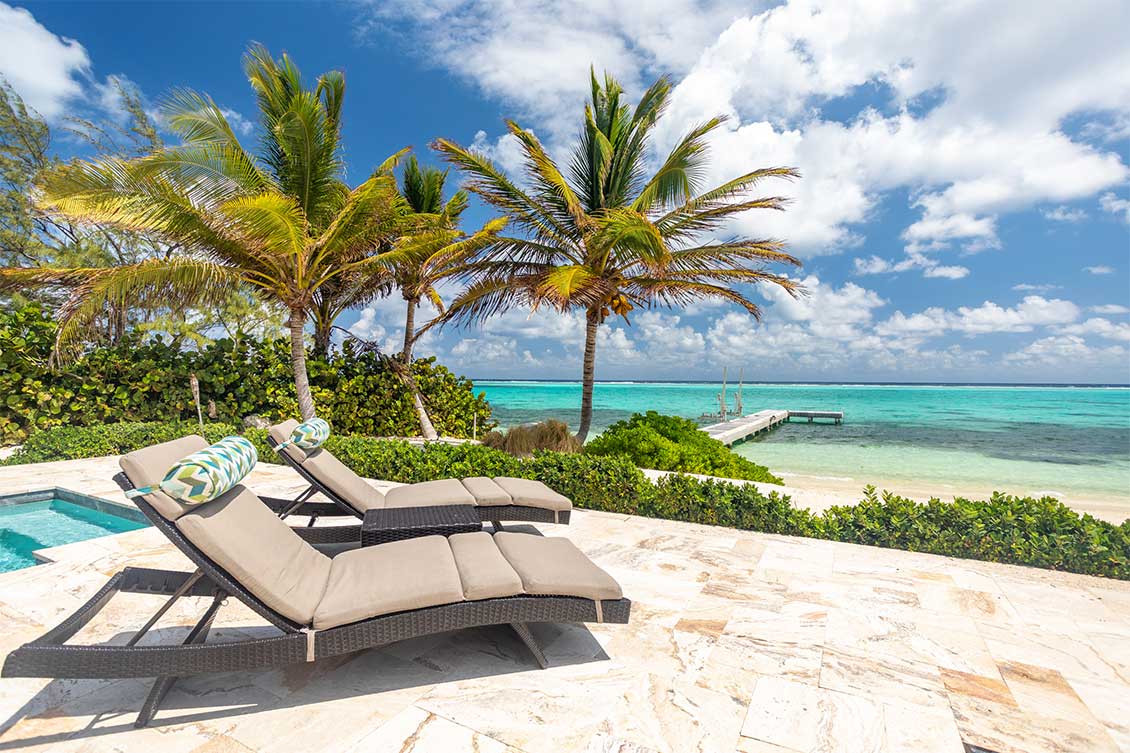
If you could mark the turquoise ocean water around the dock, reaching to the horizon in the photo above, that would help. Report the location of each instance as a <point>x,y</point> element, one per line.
<point>1025,439</point>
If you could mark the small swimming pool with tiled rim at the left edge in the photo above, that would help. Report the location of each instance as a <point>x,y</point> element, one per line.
<point>38,521</point>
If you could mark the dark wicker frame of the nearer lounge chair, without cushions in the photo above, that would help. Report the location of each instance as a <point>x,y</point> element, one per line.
<point>50,656</point>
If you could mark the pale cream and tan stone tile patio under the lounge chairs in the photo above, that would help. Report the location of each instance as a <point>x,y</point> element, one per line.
<point>738,642</point>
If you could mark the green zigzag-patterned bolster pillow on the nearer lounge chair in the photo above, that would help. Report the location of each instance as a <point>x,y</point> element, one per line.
<point>205,475</point>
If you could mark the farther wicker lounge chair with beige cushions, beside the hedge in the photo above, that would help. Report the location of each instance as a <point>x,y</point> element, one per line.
<point>494,499</point>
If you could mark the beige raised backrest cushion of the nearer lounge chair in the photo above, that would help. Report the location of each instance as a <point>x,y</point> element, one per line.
<point>241,535</point>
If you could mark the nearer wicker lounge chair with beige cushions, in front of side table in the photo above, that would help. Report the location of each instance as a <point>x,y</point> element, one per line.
<point>324,607</point>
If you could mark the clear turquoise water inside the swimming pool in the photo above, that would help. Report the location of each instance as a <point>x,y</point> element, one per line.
<point>29,526</point>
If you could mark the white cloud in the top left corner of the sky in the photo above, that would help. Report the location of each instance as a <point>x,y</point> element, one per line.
<point>47,71</point>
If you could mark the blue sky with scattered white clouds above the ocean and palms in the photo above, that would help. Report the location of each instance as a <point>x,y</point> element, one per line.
<point>964,207</point>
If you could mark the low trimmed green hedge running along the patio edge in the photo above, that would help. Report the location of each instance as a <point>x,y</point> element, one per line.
<point>1021,531</point>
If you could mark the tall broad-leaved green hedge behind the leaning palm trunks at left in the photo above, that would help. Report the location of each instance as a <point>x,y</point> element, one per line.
<point>147,382</point>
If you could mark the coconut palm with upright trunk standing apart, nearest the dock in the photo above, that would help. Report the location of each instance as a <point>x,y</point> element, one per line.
<point>611,238</point>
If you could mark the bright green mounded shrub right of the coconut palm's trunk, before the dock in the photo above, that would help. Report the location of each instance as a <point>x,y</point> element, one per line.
<point>674,444</point>
